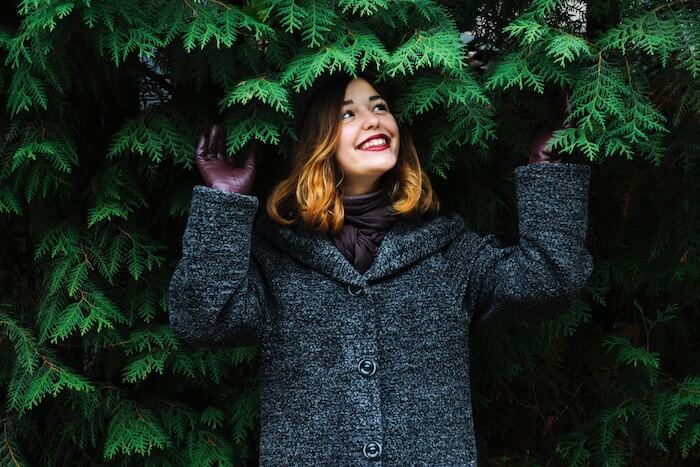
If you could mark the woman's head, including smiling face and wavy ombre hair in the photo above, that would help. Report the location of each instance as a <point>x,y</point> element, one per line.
<point>334,119</point>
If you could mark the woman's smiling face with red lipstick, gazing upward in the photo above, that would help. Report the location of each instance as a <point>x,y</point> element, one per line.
<point>365,115</point>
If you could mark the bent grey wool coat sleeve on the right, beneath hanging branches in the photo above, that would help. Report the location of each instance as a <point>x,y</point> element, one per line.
<point>540,276</point>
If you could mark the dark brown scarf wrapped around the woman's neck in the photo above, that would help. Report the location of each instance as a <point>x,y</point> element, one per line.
<point>366,219</point>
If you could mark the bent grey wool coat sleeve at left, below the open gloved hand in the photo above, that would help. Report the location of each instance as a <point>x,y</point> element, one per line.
<point>216,293</point>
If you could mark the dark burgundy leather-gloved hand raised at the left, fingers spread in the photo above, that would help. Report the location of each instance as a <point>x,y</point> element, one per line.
<point>218,168</point>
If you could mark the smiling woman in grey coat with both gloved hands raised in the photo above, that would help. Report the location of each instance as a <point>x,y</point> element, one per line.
<point>359,296</point>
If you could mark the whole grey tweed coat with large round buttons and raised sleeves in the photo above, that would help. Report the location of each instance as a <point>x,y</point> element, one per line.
<point>373,369</point>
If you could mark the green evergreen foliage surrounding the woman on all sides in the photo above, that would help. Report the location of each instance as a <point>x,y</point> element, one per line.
<point>103,103</point>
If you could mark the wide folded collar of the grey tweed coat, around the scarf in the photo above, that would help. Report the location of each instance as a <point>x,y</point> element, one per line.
<point>403,245</point>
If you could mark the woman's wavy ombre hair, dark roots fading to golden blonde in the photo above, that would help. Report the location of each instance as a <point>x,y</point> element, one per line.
<point>311,194</point>
